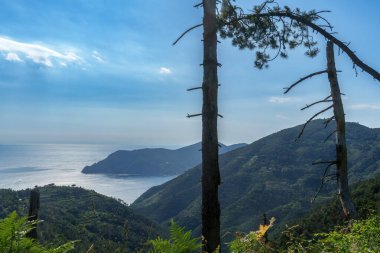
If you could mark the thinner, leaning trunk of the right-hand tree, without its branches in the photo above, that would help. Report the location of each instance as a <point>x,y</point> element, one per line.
<point>341,148</point>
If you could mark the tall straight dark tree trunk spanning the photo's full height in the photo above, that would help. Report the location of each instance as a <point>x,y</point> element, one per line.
<point>210,165</point>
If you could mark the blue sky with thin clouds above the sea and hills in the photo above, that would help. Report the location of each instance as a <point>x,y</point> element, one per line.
<point>105,72</point>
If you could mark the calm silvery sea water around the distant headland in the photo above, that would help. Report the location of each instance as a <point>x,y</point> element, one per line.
<point>24,166</point>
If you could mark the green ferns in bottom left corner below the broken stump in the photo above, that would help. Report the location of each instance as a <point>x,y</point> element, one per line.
<point>13,230</point>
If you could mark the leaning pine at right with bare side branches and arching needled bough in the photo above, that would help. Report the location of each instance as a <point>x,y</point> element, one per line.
<point>270,27</point>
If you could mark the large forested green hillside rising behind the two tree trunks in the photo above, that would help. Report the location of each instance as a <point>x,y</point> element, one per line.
<point>273,175</point>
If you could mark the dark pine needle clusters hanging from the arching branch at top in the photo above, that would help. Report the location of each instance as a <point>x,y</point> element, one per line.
<point>268,27</point>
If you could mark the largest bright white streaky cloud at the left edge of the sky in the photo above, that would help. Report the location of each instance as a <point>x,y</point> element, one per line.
<point>36,53</point>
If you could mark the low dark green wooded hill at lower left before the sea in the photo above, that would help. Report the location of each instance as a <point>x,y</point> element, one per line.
<point>71,213</point>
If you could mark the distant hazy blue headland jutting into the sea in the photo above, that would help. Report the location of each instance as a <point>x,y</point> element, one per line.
<point>153,161</point>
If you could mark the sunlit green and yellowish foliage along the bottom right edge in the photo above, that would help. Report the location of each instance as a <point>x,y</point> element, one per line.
<point>360,236</point>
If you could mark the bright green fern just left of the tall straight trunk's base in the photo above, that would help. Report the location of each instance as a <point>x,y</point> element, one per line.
<point>180,241</point>
